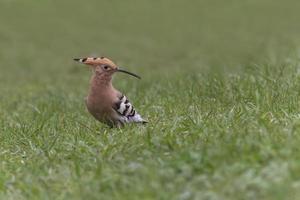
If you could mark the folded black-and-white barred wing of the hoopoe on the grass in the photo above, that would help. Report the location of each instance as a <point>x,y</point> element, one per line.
<point>126,112</point>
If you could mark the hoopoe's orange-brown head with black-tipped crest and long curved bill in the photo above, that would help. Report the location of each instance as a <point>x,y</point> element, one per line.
<point>103,66</point>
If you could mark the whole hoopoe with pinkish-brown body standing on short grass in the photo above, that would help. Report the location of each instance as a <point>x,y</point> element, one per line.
<point>104,102</point>
